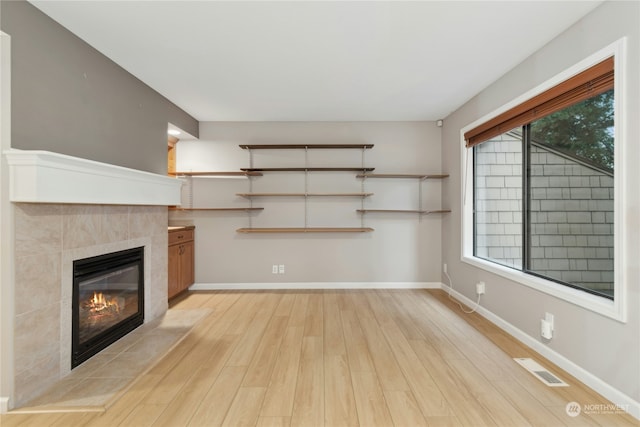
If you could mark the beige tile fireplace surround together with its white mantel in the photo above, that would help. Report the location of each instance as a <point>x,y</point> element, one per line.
<point>58,217</point>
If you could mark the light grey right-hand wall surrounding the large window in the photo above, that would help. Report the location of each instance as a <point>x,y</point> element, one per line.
<point>607,350</point>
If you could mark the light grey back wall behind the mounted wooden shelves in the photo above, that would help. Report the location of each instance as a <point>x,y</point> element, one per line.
<point>403,247</point>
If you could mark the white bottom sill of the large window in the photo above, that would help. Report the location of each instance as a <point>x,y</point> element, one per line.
<point>594,303</point>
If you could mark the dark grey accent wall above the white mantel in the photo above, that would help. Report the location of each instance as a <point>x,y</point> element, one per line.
<point>69,98</point>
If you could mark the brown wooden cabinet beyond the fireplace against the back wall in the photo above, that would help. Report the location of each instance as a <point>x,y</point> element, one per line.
<point>181,272</point>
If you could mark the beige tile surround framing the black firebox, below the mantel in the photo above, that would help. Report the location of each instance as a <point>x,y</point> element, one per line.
<point>48,237</point>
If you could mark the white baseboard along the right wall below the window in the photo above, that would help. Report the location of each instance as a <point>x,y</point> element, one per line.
<point>614,395</point>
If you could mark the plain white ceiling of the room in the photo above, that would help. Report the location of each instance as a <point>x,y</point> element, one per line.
<point>317,61</point>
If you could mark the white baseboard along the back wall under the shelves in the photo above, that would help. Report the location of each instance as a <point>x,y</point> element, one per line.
<point>314,285</point>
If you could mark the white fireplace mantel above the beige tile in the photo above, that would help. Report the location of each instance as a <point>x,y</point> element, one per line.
<point>45,177</point>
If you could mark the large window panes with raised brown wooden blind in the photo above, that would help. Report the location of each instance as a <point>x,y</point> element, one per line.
<point>542,181</point>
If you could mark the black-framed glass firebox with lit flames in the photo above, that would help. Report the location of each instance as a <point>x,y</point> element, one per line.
<point>108,301</point>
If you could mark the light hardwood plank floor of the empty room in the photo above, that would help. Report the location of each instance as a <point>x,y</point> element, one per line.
<point>339,358</point>
